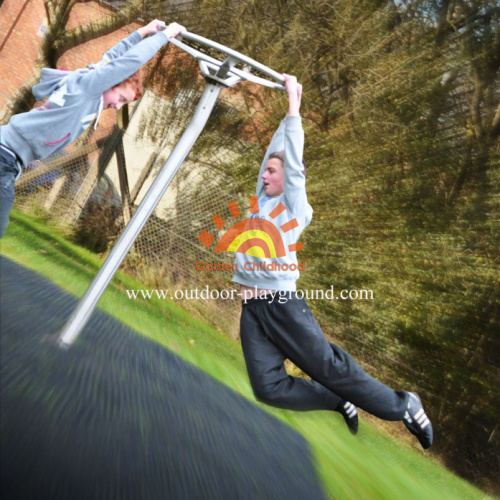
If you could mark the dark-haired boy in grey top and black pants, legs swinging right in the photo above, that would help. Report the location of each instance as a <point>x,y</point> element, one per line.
<point>277,325</point>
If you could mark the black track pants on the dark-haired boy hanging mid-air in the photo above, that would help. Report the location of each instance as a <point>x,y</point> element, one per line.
<point>273,332</point>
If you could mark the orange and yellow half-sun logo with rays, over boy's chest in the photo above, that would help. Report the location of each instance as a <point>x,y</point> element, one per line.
<point>253,236</point>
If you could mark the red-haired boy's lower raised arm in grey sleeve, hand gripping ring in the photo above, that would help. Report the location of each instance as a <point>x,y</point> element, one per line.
<point>114,71</point>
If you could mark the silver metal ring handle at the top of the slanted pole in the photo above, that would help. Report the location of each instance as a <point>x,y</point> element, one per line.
<point>244,75</point>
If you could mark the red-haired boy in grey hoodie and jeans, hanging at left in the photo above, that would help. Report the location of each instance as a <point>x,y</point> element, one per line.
<point>75,99</point>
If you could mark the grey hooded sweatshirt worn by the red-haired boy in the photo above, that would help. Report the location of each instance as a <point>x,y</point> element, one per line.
<point>75,99</point>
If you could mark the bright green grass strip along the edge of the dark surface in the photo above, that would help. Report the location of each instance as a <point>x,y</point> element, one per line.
<point>369,466</point>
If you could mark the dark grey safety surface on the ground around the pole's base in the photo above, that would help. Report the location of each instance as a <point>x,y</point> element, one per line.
<point>119,417</point>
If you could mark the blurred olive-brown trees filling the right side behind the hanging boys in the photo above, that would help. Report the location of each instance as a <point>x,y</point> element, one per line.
<point>401,108</point>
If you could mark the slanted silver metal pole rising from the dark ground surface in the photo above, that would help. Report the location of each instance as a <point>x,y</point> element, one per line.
<point>86,306</point>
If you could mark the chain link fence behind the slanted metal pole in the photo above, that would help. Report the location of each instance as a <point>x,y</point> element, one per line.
<point>80,190</point>
